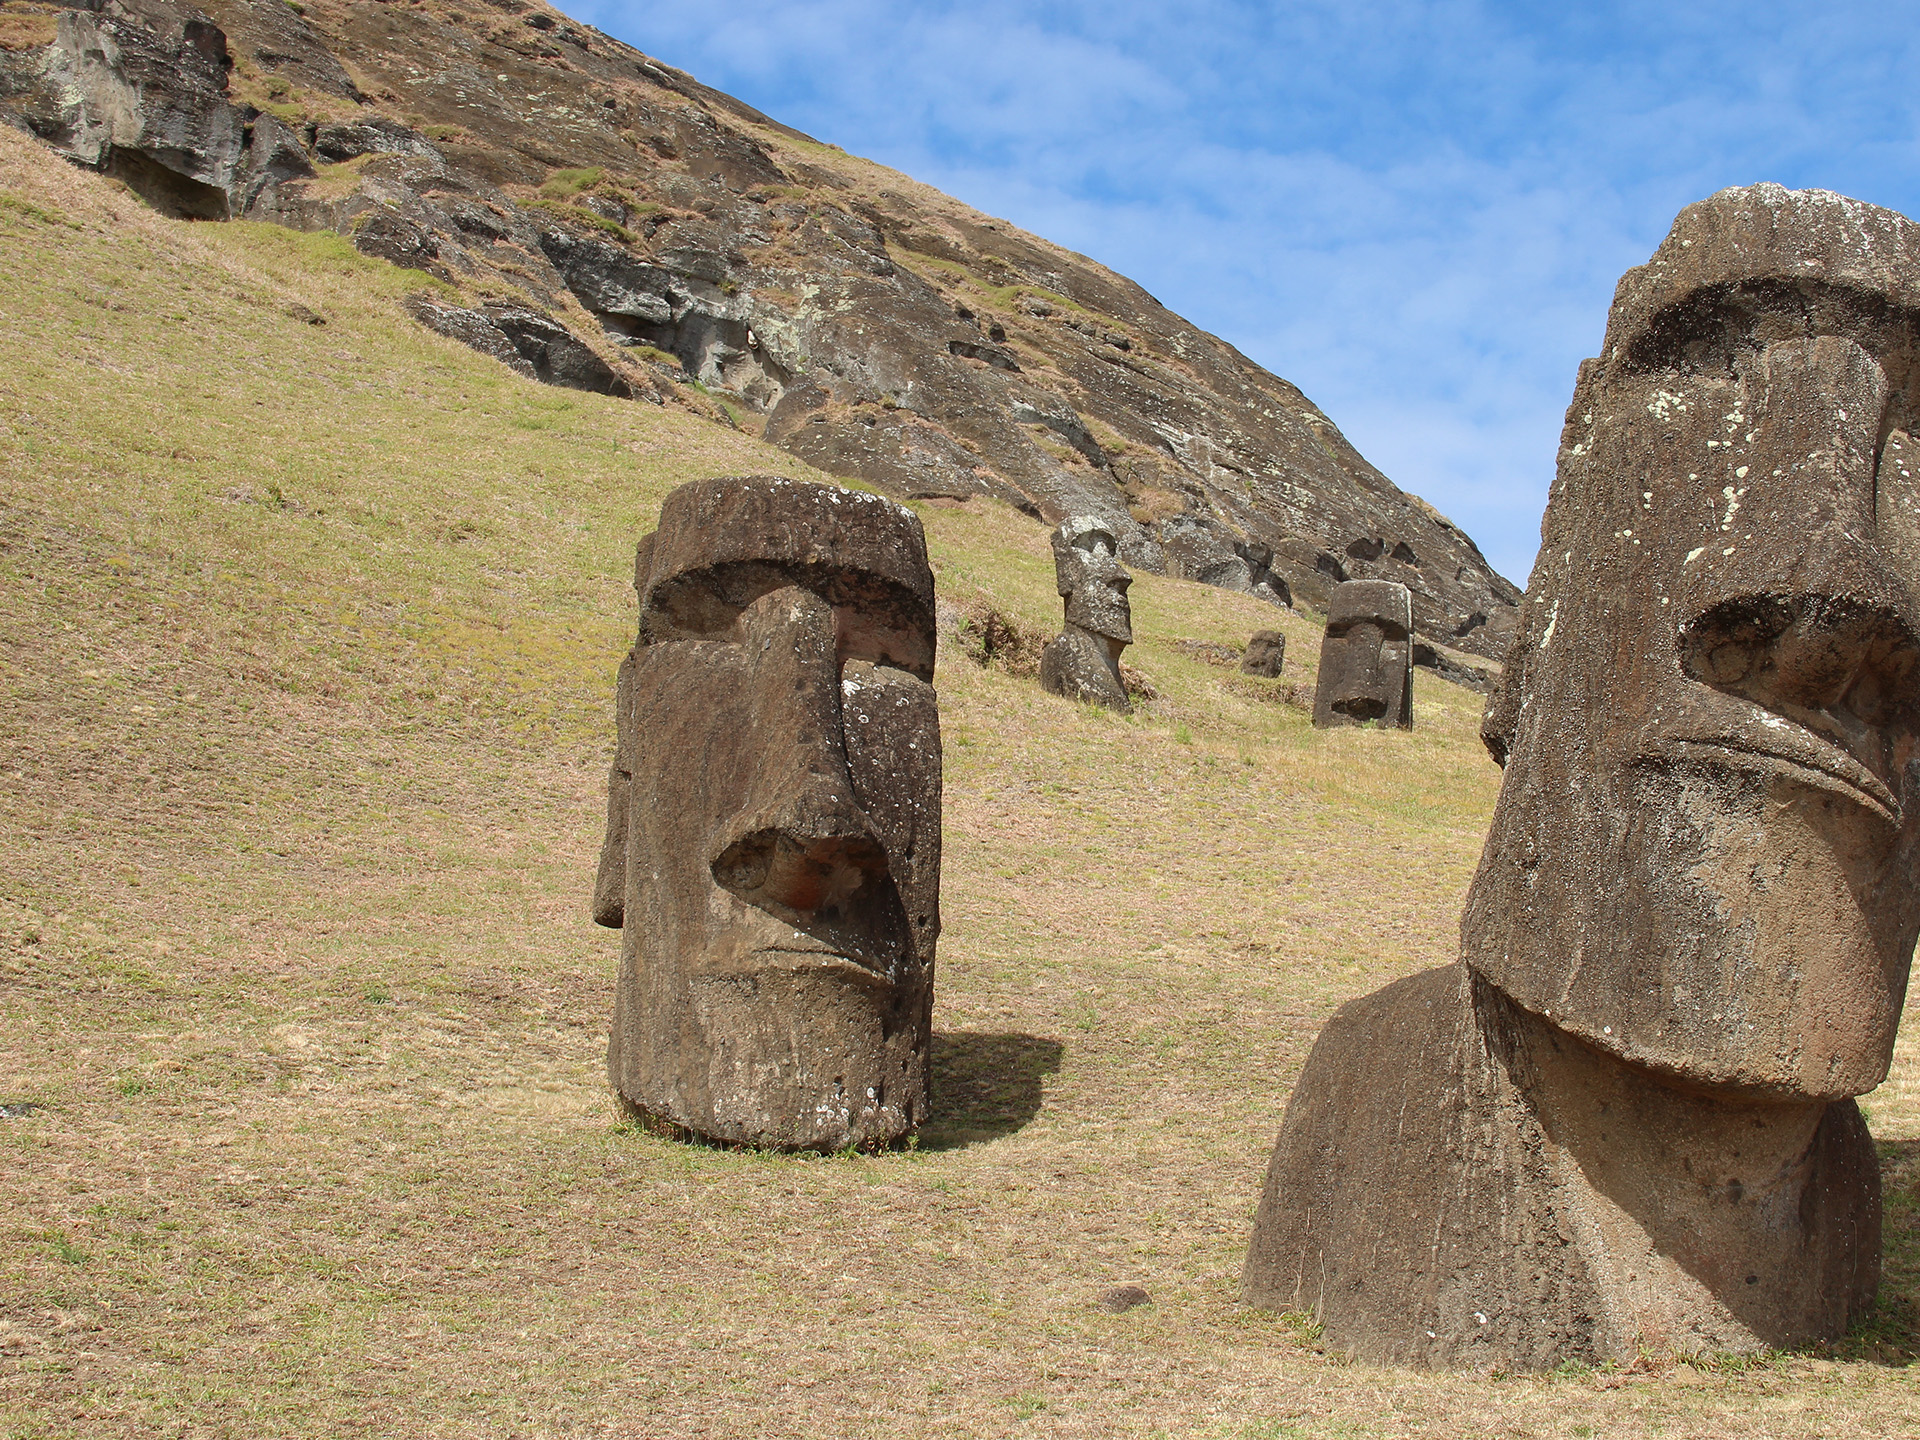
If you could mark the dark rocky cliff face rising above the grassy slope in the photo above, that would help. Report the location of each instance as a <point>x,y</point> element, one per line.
<point>604,222</point>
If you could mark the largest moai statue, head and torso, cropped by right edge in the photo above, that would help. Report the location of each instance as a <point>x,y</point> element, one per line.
<point>1625,1116</point>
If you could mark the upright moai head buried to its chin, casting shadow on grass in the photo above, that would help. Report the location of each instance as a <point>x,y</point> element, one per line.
<point>775,821</point>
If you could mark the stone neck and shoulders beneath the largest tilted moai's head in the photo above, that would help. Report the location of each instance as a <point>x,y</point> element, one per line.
<point>1464,1186</point>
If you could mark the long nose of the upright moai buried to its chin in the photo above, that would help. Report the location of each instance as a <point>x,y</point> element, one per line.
<point>802,846</point>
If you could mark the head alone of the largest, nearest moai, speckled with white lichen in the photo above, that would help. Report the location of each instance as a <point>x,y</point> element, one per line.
<point>1704,857</point>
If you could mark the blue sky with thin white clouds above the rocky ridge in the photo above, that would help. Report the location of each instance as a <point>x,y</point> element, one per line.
<point>1414,212</point>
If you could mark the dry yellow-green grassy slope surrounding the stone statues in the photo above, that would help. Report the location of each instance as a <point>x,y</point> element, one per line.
<point>306,638</point>
